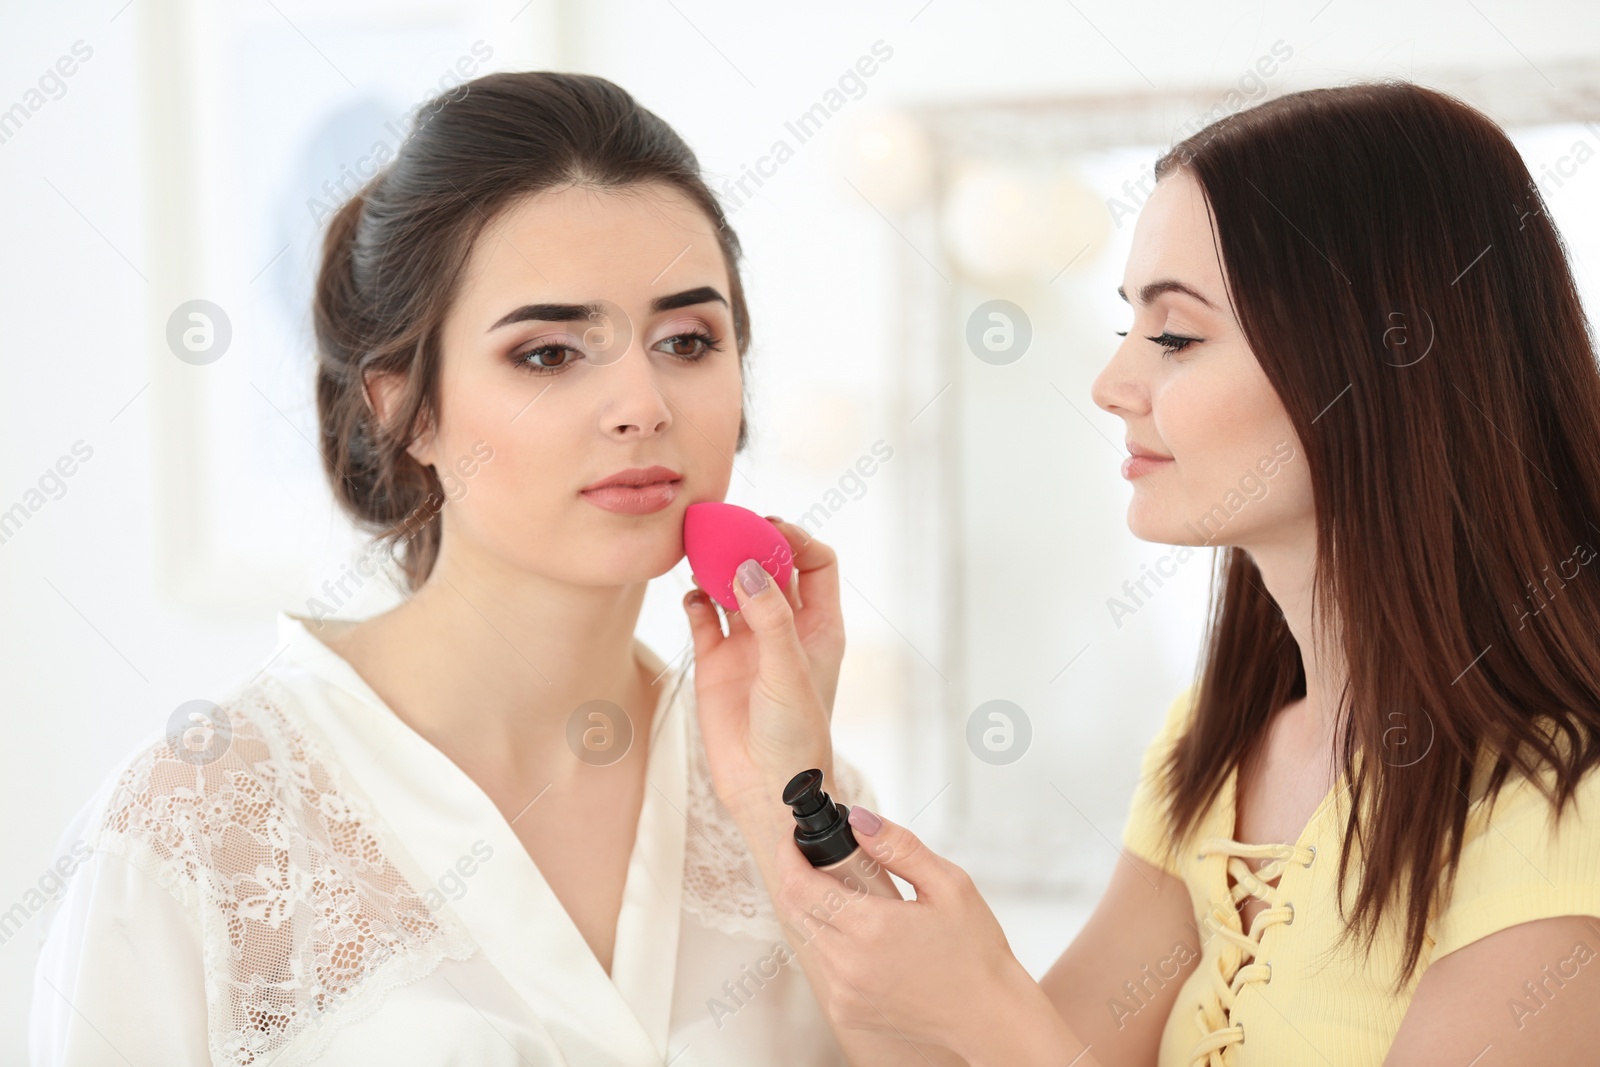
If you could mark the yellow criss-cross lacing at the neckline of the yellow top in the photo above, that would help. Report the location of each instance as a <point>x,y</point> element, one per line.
<point>1233,972</point>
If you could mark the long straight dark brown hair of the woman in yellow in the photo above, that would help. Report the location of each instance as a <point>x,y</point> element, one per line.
<point>1396,273</point>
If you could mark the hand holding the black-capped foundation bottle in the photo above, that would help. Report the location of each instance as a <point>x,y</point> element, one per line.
<point>937,970</point>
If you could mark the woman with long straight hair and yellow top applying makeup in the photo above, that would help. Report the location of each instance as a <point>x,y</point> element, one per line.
<point>1370,831</point>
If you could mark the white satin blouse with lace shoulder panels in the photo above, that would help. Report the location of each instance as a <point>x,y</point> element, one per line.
<point>334,889</point>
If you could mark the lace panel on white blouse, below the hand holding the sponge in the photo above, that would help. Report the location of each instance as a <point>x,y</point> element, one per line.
<point>722,885</point>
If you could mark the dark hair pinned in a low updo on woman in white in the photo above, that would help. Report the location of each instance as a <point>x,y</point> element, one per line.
<point>394,254</point>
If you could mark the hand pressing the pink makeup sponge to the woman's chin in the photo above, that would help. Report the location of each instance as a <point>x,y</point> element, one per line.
<point>766,690</point>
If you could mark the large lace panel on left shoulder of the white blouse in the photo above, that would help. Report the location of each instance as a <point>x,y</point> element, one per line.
<point>303,919</point>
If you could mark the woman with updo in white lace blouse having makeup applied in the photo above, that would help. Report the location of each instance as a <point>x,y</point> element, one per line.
<point>490,826</point>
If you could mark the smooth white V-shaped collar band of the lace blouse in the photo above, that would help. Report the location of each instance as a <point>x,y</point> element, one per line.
<point>441,817</point>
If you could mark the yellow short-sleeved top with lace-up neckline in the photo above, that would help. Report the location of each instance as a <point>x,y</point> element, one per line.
<point>1284,993</point>
